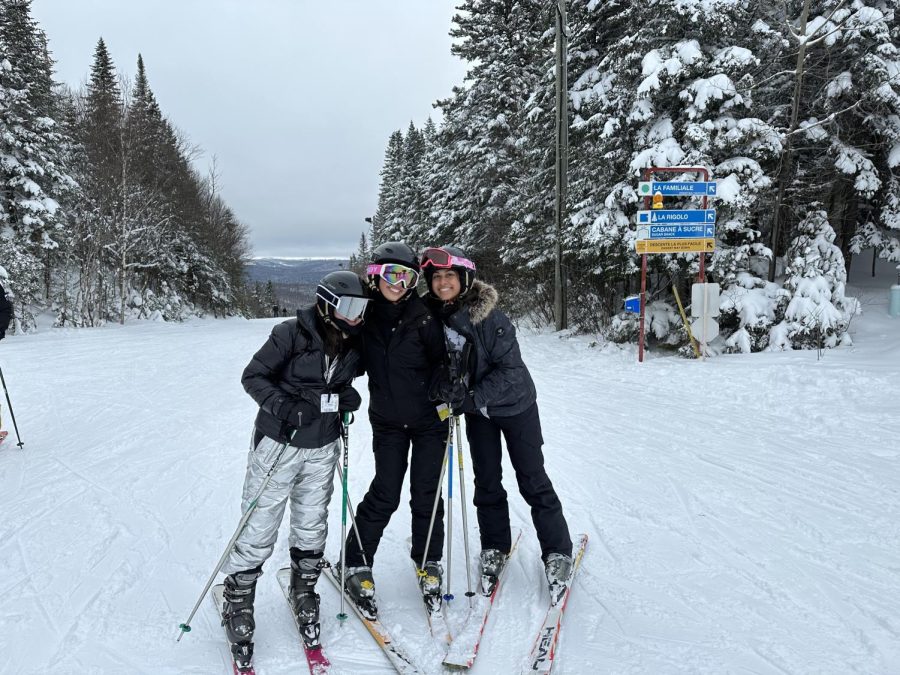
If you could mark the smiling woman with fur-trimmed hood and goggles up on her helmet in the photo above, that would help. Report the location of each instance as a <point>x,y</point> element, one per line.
<point>490,384</point>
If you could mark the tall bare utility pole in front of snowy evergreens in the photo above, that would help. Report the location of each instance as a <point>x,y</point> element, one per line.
<point>560,304</point>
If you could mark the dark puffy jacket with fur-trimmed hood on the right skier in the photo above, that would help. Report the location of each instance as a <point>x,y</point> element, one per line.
<point>498,377</point>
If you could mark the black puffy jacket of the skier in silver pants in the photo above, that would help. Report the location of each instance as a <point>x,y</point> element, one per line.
<point>289,368</point>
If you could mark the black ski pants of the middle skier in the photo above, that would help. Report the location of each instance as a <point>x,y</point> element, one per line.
<point>390,444</point>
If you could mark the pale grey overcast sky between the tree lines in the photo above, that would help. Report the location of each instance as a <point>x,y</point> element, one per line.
<point>295,98</point>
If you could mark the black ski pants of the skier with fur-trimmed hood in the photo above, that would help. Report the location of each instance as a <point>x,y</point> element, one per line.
<point>523,443</point>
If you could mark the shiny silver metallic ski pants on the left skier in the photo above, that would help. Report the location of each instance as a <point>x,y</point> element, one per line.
<point>305,476</point>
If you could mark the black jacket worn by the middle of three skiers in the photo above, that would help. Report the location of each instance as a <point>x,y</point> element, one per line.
<point>402,361</point>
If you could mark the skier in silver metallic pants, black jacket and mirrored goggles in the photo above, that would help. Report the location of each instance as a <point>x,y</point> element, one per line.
<point>301,380</point>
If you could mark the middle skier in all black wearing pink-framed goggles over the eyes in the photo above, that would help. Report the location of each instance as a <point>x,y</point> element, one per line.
<point>403,350</point>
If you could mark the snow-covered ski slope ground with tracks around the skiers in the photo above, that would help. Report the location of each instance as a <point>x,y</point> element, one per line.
<point>743,512</point>
